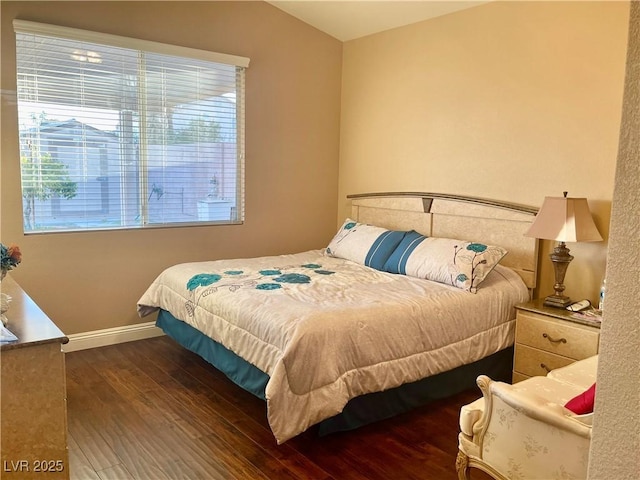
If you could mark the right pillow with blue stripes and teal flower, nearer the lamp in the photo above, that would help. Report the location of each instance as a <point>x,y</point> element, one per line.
<point>460,263</point>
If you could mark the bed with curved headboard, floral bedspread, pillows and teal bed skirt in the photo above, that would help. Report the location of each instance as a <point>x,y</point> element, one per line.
<point>361,330</point>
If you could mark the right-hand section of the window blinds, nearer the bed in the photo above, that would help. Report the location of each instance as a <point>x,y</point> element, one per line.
<point>191,138</point>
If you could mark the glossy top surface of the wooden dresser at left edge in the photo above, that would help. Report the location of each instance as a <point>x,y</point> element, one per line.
<point>26,321</point>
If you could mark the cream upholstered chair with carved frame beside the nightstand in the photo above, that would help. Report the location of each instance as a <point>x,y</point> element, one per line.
<point>523,431</point>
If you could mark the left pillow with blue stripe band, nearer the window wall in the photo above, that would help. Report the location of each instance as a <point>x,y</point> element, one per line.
<point>365,244</point>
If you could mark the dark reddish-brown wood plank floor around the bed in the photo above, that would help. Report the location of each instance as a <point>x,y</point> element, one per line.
<point>153,410</point>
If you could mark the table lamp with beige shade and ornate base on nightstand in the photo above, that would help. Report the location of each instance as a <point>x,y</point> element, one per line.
<point>563,219</point>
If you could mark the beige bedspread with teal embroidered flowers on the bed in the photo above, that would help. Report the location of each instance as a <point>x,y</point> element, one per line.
<point>326,330</point>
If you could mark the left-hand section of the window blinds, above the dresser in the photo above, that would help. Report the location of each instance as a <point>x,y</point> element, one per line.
<point>70,96</point>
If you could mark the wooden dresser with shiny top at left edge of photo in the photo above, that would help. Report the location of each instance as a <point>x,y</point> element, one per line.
<point>33,404</point>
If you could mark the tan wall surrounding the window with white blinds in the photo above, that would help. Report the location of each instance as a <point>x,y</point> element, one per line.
<point>90,281</point>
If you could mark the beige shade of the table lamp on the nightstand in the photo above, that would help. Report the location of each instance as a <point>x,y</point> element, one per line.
<point>564,220</point>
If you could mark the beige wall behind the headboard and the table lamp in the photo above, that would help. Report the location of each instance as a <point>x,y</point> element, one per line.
<point>509,100</point>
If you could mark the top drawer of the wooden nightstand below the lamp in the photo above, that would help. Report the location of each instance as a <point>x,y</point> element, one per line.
<point>561,338</point>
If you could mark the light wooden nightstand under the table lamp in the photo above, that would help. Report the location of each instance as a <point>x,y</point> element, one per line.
<point>549,338</point>
